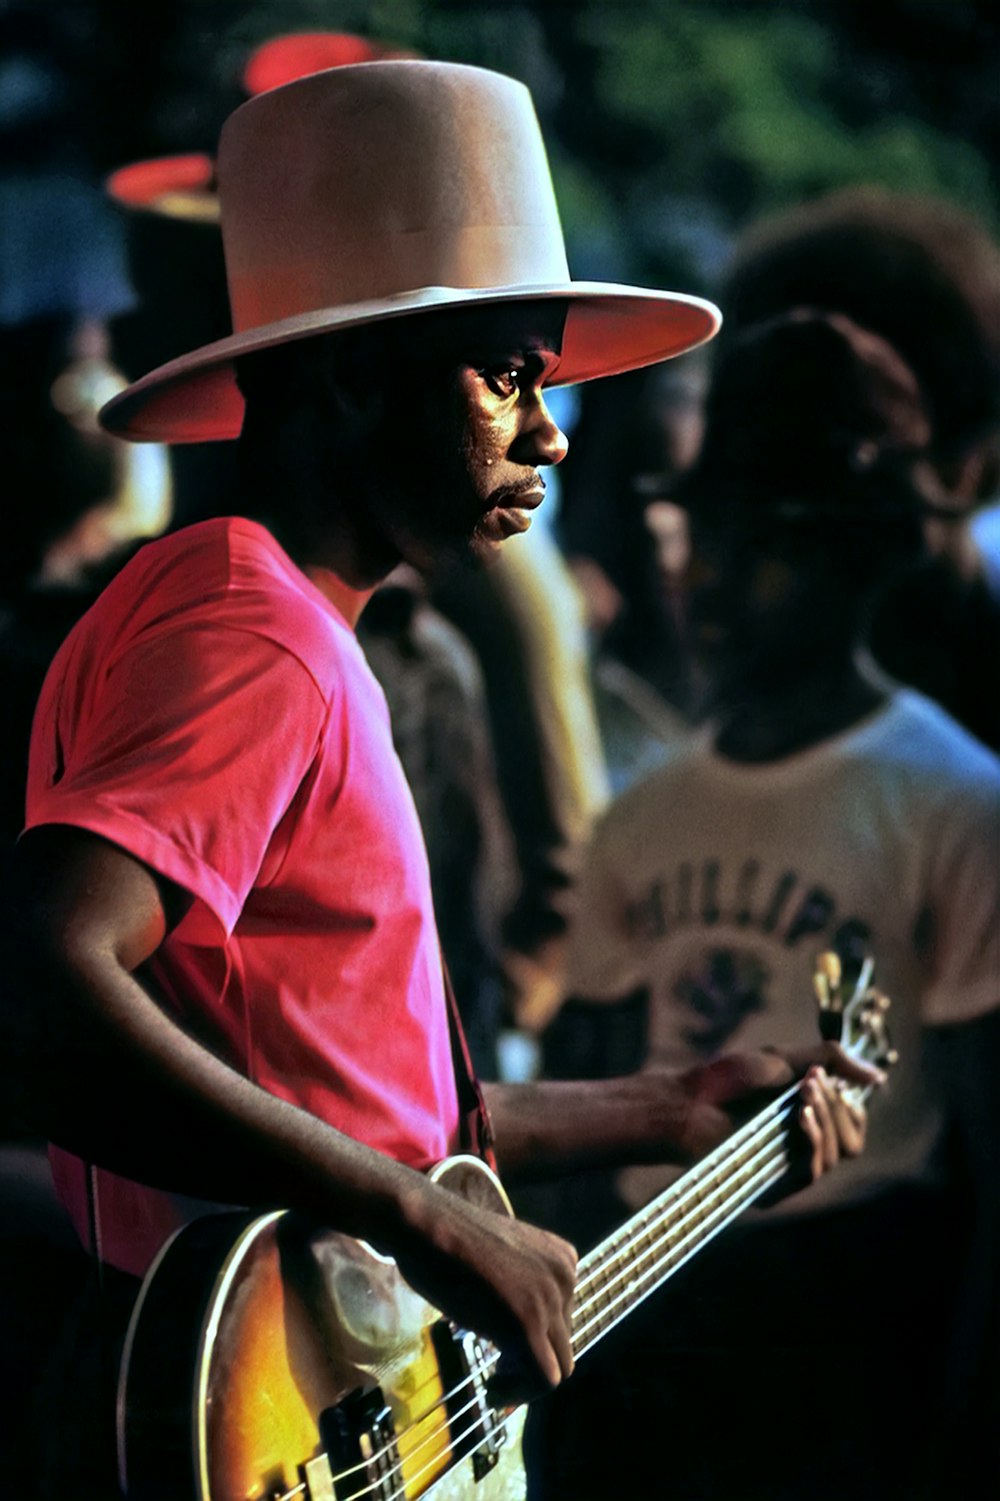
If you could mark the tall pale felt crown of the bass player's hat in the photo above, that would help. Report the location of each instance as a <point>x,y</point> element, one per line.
<point>375,181</point>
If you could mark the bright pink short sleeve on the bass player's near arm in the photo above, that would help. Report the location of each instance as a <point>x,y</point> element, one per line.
<point>188,756</point>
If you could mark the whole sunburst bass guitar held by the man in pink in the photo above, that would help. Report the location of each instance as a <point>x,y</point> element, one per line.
<point>273,1361</point>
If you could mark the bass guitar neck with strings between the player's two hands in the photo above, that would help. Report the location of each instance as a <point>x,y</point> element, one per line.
<point>627,1268</point>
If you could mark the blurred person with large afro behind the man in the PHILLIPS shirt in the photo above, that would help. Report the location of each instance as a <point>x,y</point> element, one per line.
<point>926,275</point>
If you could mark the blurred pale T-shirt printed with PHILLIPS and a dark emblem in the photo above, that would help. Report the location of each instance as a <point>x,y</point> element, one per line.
<point>717,883</point>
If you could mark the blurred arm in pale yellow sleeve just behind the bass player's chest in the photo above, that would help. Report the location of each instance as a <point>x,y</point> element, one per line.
<point>526,624</point>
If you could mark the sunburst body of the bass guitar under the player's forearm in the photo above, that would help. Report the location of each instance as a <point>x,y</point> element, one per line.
<point>271,1359</point>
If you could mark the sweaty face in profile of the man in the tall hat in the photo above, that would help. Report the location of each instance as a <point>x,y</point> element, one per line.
<point>466,435</point>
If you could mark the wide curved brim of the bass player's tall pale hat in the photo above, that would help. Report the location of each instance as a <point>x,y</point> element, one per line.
<point>610,329</point>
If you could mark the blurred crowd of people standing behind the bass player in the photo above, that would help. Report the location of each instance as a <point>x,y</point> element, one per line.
<point>733,700</point>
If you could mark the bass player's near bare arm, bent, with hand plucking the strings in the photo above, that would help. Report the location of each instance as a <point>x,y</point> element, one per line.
<point>110,1075</point>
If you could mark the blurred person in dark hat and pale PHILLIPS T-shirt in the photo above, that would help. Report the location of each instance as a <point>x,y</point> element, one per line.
<point>822,807</point>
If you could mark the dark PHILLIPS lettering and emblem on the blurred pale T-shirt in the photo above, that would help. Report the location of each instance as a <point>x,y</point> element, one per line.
<point>724,982</point>
